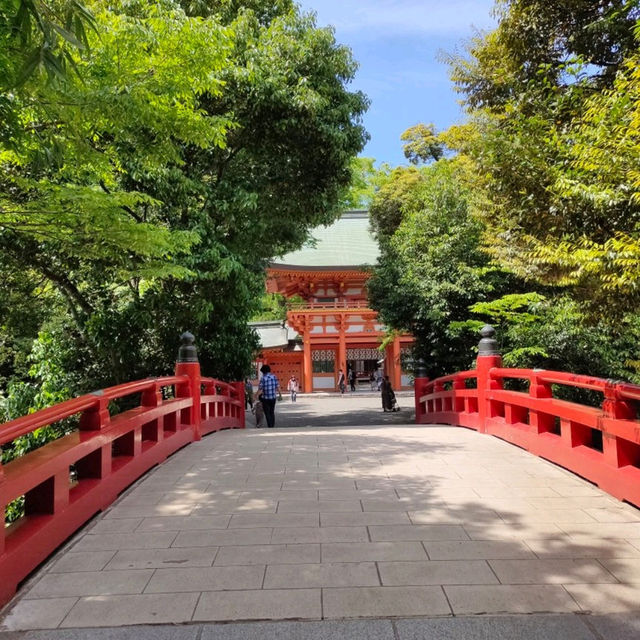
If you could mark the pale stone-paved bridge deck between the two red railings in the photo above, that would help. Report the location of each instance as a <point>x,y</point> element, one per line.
<point>345,522</point>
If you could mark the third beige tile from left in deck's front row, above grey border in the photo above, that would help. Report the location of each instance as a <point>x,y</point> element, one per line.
<point>271,604</point>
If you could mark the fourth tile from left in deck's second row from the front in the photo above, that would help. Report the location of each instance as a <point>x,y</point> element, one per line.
<point>433,572</point>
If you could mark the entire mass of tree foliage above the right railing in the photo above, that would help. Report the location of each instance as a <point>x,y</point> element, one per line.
<point>536,227</point>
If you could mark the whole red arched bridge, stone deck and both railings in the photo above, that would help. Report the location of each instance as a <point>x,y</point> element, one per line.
<point>315,523</point>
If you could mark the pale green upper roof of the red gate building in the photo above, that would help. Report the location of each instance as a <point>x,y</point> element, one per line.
<point>346,243</point>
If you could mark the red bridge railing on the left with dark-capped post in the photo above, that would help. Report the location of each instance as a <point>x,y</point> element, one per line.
<point>66,482</point>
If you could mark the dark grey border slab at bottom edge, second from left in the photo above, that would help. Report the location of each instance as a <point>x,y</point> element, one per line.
<point>325,630</point>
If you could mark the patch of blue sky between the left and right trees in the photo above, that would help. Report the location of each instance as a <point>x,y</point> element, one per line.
<point>397,44</point>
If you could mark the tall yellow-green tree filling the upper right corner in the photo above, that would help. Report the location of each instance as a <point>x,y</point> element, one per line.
<point>534,90</point>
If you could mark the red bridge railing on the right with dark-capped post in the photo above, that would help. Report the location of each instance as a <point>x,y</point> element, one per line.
<point>600,443</point>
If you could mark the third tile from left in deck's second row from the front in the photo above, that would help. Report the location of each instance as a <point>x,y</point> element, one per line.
<point>304,576</point>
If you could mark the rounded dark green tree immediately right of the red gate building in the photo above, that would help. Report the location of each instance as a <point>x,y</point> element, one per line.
<point>432,267</point>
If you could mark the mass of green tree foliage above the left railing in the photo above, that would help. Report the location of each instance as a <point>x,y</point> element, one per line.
<point>144,187</point>
